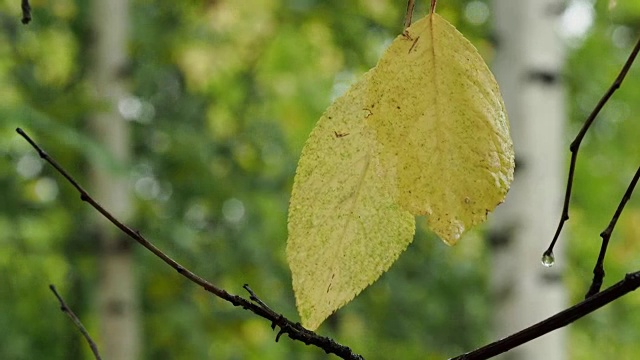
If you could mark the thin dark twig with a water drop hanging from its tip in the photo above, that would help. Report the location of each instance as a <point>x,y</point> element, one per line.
<point>575,145</point>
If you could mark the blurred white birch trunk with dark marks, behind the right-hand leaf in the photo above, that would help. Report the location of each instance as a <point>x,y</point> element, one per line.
<point>528,66</point>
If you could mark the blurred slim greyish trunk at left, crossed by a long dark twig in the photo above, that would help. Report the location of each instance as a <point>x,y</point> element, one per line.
<point>117,289</point>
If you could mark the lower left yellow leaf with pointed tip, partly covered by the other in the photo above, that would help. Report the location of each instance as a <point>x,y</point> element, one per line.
<point>345,228</point>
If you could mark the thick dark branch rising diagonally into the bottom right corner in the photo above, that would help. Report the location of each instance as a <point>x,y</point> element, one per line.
<point>630,283</point>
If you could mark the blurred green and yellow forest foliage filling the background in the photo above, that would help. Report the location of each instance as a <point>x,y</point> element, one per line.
<point>224,94</point>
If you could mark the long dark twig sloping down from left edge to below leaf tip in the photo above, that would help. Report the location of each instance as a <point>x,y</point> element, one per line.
<point>295,331</point>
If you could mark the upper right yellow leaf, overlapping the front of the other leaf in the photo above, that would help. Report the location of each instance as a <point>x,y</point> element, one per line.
<point>438,113</point>
